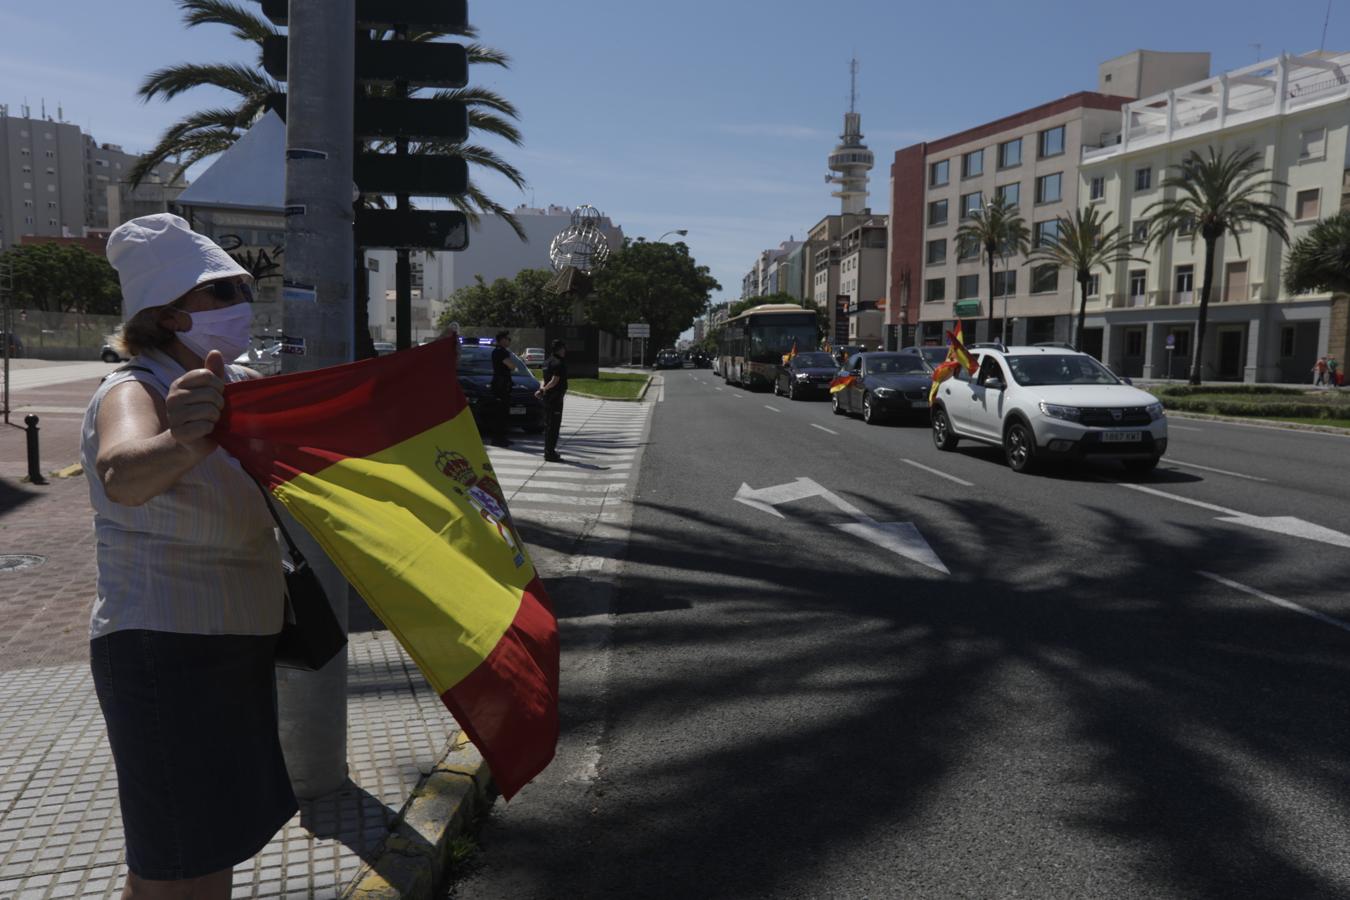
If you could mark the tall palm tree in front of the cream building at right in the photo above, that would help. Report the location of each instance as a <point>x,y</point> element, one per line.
<point>1214,196</point>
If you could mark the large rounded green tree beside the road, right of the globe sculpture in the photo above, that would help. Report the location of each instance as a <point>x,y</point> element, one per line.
<point>658,284</point>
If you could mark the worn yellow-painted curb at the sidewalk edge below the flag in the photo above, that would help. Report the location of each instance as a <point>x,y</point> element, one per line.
<point>416,857</point>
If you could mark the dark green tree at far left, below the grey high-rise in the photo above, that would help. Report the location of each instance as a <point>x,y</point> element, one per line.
<point>64,279</point>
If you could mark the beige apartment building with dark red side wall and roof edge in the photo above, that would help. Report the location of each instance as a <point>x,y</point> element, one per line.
<point>1031,160</point>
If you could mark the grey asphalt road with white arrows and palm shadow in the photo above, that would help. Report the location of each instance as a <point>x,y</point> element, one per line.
<point>1114,693</point>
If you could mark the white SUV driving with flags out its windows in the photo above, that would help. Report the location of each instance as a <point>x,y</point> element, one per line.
<point>1044,403</point>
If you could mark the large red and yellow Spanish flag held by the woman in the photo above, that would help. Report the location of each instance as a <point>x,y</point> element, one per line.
<point>383,465</point>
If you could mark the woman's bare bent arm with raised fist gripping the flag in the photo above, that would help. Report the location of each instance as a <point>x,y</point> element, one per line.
<point>146,443</point>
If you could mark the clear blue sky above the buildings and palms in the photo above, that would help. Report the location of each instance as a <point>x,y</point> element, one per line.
<point>701,115</point>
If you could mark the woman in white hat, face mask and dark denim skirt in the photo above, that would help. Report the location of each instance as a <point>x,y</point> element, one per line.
<point>191,593</point>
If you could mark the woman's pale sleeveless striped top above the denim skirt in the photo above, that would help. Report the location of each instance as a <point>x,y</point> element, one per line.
<point>199,559</point>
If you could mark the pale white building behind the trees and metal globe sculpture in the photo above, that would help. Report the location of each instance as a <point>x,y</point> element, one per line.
<point>495,252</point>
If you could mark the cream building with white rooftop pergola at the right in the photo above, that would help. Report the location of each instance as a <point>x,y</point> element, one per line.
<point>1295,113</point>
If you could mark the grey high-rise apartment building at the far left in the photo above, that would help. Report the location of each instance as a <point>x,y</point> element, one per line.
<point>56,180</point>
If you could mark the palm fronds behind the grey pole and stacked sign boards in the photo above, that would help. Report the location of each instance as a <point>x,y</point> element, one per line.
<point>211,132</point>
